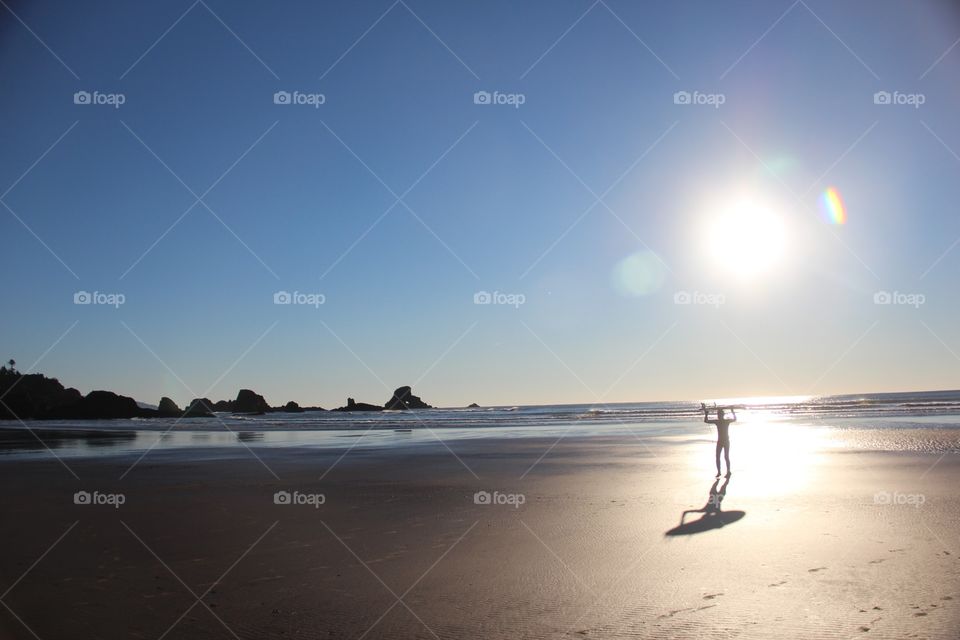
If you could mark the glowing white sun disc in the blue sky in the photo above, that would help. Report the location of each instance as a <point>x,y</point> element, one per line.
<point>746,239</point>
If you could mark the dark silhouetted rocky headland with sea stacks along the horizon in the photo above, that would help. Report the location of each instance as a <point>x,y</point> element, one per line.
<point>34,396</point>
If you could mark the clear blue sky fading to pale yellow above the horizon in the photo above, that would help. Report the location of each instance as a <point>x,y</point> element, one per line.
<point>180,166</point>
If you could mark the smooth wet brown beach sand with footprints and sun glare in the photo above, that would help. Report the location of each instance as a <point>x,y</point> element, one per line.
<point>831,543</point>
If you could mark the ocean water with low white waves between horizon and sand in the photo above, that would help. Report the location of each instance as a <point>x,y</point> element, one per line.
<point>934,411</point>
